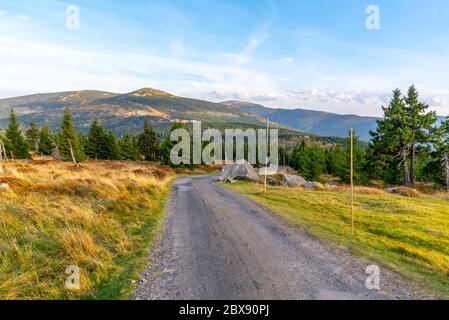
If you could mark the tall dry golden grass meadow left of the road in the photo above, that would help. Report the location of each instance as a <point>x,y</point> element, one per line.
<point>101,218</point>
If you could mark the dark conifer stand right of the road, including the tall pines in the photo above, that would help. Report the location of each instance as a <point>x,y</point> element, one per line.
<point>407,147</point>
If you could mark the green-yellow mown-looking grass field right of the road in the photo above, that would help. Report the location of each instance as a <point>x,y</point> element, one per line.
<point>407,235</point>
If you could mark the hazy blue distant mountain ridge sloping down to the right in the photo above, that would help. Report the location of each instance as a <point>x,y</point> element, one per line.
<point>314,122</point>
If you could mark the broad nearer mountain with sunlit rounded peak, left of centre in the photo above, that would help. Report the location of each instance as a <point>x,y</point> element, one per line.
<point>122,112</point>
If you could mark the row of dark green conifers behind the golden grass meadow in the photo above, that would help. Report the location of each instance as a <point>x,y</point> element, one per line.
<point>98,144</point>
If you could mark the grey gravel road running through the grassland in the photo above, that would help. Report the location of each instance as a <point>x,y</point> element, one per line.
<point>219,245</point>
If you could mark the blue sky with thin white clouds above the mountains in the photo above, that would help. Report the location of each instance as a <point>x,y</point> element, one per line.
<point>280,53</point>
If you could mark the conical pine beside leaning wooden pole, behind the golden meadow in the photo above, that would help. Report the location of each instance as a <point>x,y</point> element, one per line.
<point>68,139</point>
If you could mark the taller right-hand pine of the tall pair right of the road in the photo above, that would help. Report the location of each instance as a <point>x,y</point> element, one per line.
<point>420,122</point>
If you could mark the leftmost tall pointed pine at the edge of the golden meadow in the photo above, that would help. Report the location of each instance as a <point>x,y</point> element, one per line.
<point>17,146</point>
